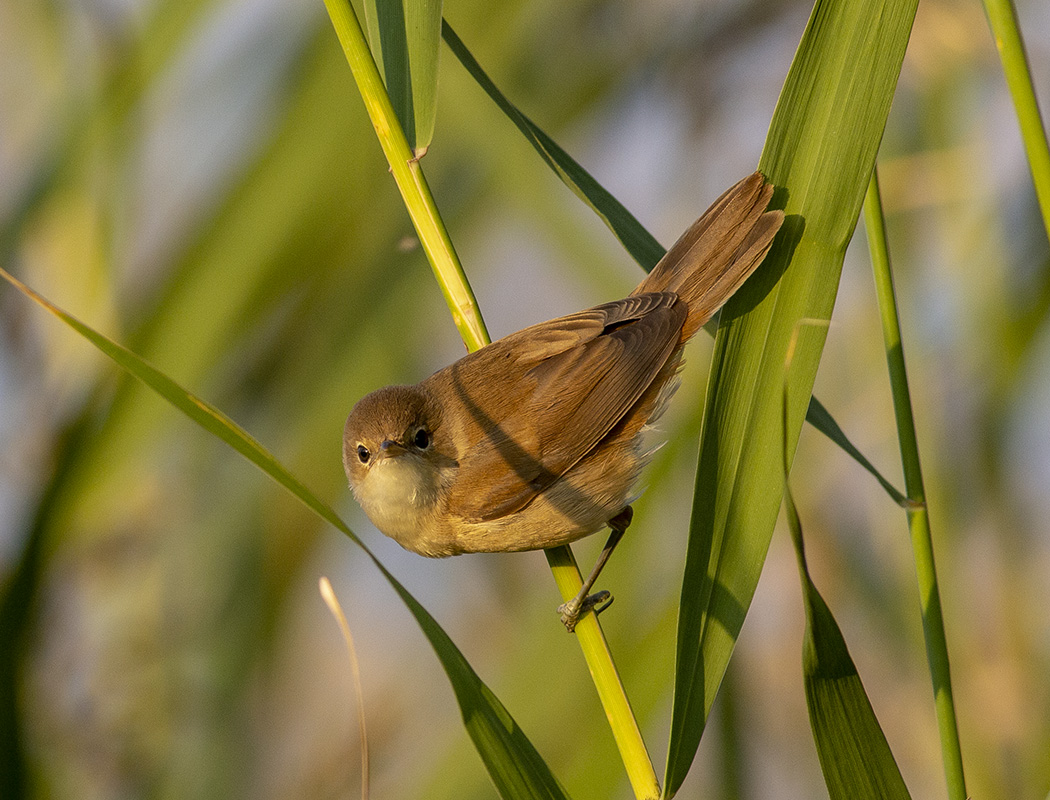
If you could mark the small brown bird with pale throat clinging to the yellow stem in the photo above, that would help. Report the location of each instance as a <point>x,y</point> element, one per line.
<point>536,440</point>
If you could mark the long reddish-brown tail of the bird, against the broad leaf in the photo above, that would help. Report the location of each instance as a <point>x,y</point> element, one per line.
<point>711,260</point>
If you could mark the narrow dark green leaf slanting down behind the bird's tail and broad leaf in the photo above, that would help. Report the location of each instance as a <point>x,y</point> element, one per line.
<point>642,245</point>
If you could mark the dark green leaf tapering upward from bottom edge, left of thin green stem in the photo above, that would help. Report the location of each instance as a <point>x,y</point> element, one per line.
<point>854,754</point>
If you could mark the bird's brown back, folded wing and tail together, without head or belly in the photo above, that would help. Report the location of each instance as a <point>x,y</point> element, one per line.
<point>532,406</point>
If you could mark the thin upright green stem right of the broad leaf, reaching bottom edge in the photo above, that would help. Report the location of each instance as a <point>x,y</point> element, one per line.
<point>922,543</point>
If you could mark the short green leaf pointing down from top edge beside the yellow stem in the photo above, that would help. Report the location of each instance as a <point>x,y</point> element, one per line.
<point>405,37</point>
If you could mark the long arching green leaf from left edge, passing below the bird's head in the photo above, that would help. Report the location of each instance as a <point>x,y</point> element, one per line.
<point>514,765</point>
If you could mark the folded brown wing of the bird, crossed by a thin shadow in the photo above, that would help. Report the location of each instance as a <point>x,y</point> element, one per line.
<point>544,397</point>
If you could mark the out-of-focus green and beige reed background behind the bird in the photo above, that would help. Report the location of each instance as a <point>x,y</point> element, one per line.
<point>199,181</point>
